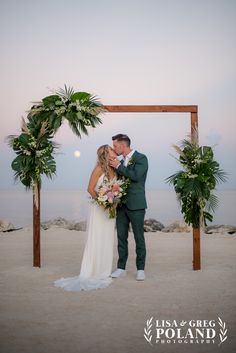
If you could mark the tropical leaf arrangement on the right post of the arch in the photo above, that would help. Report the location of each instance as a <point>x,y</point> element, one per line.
<point>195,183</point>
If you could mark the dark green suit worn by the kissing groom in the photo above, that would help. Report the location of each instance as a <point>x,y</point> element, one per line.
<point>133,211</point>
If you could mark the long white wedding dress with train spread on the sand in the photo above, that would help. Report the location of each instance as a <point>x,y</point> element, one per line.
<point>97,259</point>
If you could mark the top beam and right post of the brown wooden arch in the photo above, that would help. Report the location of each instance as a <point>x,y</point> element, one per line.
<point>193,110</point>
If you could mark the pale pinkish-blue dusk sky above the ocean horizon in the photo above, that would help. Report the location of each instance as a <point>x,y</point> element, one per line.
<point>124,52</point>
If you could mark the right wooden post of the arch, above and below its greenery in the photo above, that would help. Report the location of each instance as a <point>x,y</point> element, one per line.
<point>196,231</point>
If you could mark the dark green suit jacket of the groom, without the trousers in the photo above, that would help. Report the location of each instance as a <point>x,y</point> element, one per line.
<point>136,171</point>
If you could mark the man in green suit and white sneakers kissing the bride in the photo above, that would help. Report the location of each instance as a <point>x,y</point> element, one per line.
<point>135,167</point>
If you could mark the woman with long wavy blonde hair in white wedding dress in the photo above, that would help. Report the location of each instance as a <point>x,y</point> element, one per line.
<point>97,259</point>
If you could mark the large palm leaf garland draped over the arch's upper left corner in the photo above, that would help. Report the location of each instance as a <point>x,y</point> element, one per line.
<point>34,146</point>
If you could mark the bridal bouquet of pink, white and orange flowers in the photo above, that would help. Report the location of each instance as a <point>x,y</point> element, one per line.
<point>112,193</point>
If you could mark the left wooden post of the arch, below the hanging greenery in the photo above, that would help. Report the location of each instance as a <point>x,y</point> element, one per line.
<point>36,224</point>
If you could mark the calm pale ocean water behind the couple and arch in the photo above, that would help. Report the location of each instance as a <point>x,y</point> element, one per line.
<point>73,205</point>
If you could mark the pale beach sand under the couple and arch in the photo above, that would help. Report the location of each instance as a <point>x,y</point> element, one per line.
<point>37,317</point>
